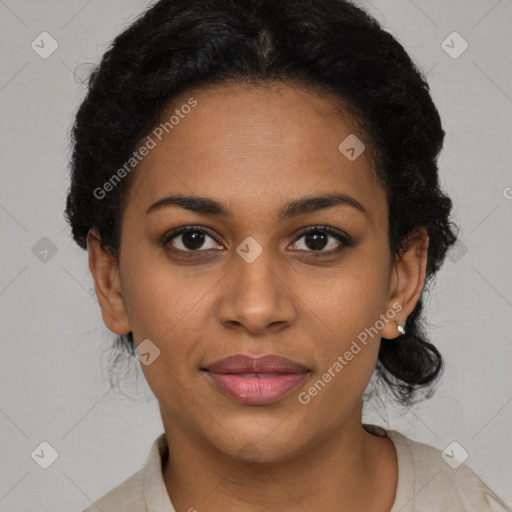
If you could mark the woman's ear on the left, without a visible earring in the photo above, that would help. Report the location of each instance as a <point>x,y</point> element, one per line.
<point>107,282</point>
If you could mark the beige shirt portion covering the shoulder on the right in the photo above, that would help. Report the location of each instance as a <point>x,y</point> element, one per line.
<point>432,480</point>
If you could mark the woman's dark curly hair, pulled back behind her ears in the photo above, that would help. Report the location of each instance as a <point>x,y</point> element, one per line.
<point>329,46</point>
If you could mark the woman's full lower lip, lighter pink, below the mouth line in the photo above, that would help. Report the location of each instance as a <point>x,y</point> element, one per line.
<point>254,388</point>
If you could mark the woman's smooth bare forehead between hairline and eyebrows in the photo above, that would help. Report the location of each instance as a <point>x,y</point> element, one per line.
<point>254,146</point>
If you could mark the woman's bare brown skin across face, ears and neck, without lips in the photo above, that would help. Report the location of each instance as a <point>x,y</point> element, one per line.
<point>254,149</point>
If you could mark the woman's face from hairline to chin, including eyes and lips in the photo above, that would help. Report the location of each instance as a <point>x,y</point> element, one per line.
<point>254,283</point>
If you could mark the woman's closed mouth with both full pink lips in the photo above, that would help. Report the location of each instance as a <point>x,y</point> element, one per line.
<point>256,381</point>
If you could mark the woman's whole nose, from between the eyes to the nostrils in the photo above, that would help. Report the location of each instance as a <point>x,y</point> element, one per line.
<point>256,296</point>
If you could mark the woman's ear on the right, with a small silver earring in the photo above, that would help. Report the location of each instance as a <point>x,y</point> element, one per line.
<point>407,281</point>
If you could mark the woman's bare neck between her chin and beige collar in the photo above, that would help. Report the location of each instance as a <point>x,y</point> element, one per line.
<point>331,475</point>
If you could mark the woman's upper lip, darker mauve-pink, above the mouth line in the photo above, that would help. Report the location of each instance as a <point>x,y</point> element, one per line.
<point>270,363</point>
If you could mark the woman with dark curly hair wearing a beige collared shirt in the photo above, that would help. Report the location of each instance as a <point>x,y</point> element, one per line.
<point>256,184</point>
